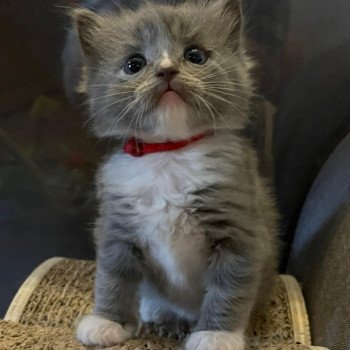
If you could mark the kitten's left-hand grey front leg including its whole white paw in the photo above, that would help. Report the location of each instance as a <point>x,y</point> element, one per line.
<point>114,318</point>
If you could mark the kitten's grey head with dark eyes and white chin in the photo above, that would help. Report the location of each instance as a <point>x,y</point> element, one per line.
<point>165,71</point>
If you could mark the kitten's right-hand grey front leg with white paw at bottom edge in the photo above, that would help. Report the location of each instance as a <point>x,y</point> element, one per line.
<point>231,294</point>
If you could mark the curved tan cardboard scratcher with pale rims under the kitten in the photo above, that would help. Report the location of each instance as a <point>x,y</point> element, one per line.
<point>43,313</point>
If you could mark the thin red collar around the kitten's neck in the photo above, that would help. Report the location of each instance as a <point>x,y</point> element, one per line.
<point>138,148</point>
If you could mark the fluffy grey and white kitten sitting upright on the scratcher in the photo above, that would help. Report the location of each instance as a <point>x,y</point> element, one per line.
<point>186,239</point>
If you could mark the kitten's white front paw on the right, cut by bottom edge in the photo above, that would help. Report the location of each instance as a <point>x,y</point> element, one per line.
<point>215,340</point>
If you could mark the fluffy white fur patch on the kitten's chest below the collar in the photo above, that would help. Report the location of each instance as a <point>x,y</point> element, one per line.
<point>160,187</point>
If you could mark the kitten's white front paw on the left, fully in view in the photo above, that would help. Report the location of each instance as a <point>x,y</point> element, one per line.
<point>97,331</point>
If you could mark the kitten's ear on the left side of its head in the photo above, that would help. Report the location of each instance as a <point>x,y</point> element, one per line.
<point>88,26</point>
